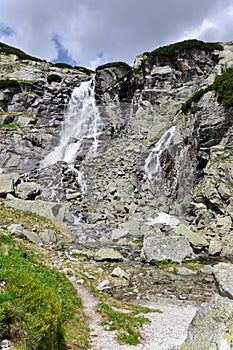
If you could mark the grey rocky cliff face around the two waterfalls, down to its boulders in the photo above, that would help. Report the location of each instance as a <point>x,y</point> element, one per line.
<point>142,159</point>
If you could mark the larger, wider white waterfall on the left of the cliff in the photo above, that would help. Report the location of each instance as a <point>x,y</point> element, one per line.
<point>81,127</point>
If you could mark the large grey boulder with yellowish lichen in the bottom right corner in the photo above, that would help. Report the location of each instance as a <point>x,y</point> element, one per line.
<point>211,327</point>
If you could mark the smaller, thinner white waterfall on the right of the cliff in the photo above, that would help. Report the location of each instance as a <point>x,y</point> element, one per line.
<point>152,165</point>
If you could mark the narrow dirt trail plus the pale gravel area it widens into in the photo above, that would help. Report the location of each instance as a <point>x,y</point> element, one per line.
<point>166,330</point>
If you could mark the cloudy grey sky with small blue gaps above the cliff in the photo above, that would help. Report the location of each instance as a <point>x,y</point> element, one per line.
<point>92,32</point>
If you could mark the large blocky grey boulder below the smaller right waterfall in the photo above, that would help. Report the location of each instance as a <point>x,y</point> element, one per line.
<point>175,248</point>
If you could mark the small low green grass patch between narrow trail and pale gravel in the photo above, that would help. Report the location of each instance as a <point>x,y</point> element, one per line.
<point>127,324</point>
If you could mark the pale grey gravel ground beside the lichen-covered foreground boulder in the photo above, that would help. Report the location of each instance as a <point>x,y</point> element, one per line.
<point>166,331</point>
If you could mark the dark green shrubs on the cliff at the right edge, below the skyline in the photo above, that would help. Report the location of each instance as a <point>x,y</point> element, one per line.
<point>223,86</point>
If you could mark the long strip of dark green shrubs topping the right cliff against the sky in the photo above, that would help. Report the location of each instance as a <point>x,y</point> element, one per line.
<point>169,50</point>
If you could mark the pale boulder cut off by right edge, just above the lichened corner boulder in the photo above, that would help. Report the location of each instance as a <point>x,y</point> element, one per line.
<point>223,275</point>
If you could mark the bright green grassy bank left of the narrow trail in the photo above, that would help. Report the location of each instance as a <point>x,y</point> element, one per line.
<point>39,307</point>
